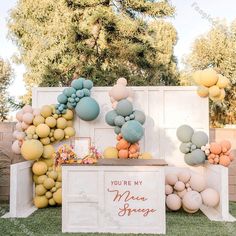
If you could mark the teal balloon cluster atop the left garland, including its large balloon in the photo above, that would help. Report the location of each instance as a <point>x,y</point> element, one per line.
<point>78,97</point>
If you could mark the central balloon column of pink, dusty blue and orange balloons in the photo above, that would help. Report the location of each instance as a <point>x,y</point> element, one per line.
<point>126,121</point>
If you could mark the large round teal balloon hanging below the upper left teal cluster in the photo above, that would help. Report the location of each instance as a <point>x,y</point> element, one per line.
<point>87,109</point>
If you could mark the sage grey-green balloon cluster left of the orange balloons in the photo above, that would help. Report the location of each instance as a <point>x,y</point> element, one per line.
<point>192,141</point>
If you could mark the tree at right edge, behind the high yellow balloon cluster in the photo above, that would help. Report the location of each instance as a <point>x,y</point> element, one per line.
<point>217,49</point>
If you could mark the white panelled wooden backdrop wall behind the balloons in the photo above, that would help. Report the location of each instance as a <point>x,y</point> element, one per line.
<point>166,108</point>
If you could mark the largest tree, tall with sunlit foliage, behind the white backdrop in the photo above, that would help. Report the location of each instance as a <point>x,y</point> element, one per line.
<point>98,39</point>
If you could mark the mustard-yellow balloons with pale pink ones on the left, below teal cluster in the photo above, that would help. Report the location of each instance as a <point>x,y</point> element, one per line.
<point>36,130</point>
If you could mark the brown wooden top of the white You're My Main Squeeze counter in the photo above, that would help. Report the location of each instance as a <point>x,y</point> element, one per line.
<point>124,162</point>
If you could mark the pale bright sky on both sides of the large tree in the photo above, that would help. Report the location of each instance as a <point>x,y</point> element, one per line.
<point>192,18</point>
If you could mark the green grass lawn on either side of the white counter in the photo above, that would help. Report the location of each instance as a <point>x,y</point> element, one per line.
<point>48,222</point>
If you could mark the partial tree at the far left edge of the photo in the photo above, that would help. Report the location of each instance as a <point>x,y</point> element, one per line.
<point>5,81</point>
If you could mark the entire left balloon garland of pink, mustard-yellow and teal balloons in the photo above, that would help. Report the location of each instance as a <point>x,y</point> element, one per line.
<point>37,129</point>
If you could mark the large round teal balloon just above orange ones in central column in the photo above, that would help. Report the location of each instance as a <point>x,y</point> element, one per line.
<point>132,131</point>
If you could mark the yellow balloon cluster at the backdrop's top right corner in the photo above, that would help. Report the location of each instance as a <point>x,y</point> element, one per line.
<point>211,84</point>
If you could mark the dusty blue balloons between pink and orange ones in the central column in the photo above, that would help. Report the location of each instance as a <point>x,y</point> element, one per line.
<point>126,121</point>
